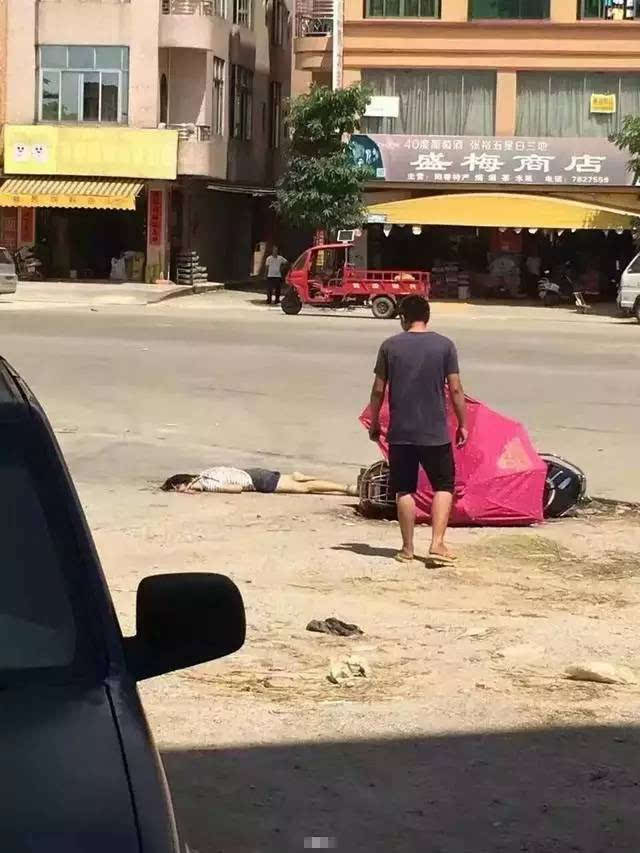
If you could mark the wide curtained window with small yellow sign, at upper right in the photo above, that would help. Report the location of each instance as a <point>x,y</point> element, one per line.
<point>559,103</point>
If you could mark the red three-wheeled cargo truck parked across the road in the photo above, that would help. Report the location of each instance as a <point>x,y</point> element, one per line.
<point>322,276</point>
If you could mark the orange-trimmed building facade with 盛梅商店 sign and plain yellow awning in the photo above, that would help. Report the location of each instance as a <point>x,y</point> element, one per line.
<point>511,97</point>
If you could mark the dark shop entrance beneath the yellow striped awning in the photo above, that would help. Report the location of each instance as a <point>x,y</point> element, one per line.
<point>81,243</point>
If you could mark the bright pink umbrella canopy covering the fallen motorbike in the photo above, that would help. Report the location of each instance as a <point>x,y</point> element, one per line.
<point>499,476</point>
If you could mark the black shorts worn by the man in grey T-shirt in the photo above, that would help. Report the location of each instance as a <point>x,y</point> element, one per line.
<point>437,462</point>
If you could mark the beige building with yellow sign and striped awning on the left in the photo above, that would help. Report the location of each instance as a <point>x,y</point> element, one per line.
<point>140,129</point>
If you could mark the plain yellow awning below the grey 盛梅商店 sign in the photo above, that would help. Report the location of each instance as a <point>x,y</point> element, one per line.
<point>502,210</point>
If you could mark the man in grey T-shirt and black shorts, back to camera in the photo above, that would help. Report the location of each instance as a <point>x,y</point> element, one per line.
<point>416,365</point>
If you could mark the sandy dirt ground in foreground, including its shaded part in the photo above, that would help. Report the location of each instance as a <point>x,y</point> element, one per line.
<point>464,737</point>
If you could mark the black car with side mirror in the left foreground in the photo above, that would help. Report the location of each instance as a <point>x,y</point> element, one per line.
<point>80,772</point>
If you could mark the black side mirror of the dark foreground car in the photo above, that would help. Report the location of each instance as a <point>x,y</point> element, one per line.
<point>182,620</point>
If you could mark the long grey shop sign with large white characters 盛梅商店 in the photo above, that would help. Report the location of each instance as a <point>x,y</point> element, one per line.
<point>491,160</point>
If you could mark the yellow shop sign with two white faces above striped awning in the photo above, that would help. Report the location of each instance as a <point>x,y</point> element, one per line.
<point>109,152</point>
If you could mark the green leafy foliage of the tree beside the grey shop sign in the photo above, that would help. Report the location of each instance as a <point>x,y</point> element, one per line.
<point>322,187</point>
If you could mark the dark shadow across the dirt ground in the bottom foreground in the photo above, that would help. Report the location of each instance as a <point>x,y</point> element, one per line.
<point>547,790</point>
